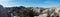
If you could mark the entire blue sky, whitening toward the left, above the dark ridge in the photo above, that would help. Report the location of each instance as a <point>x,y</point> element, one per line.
<point>30,3</point>
